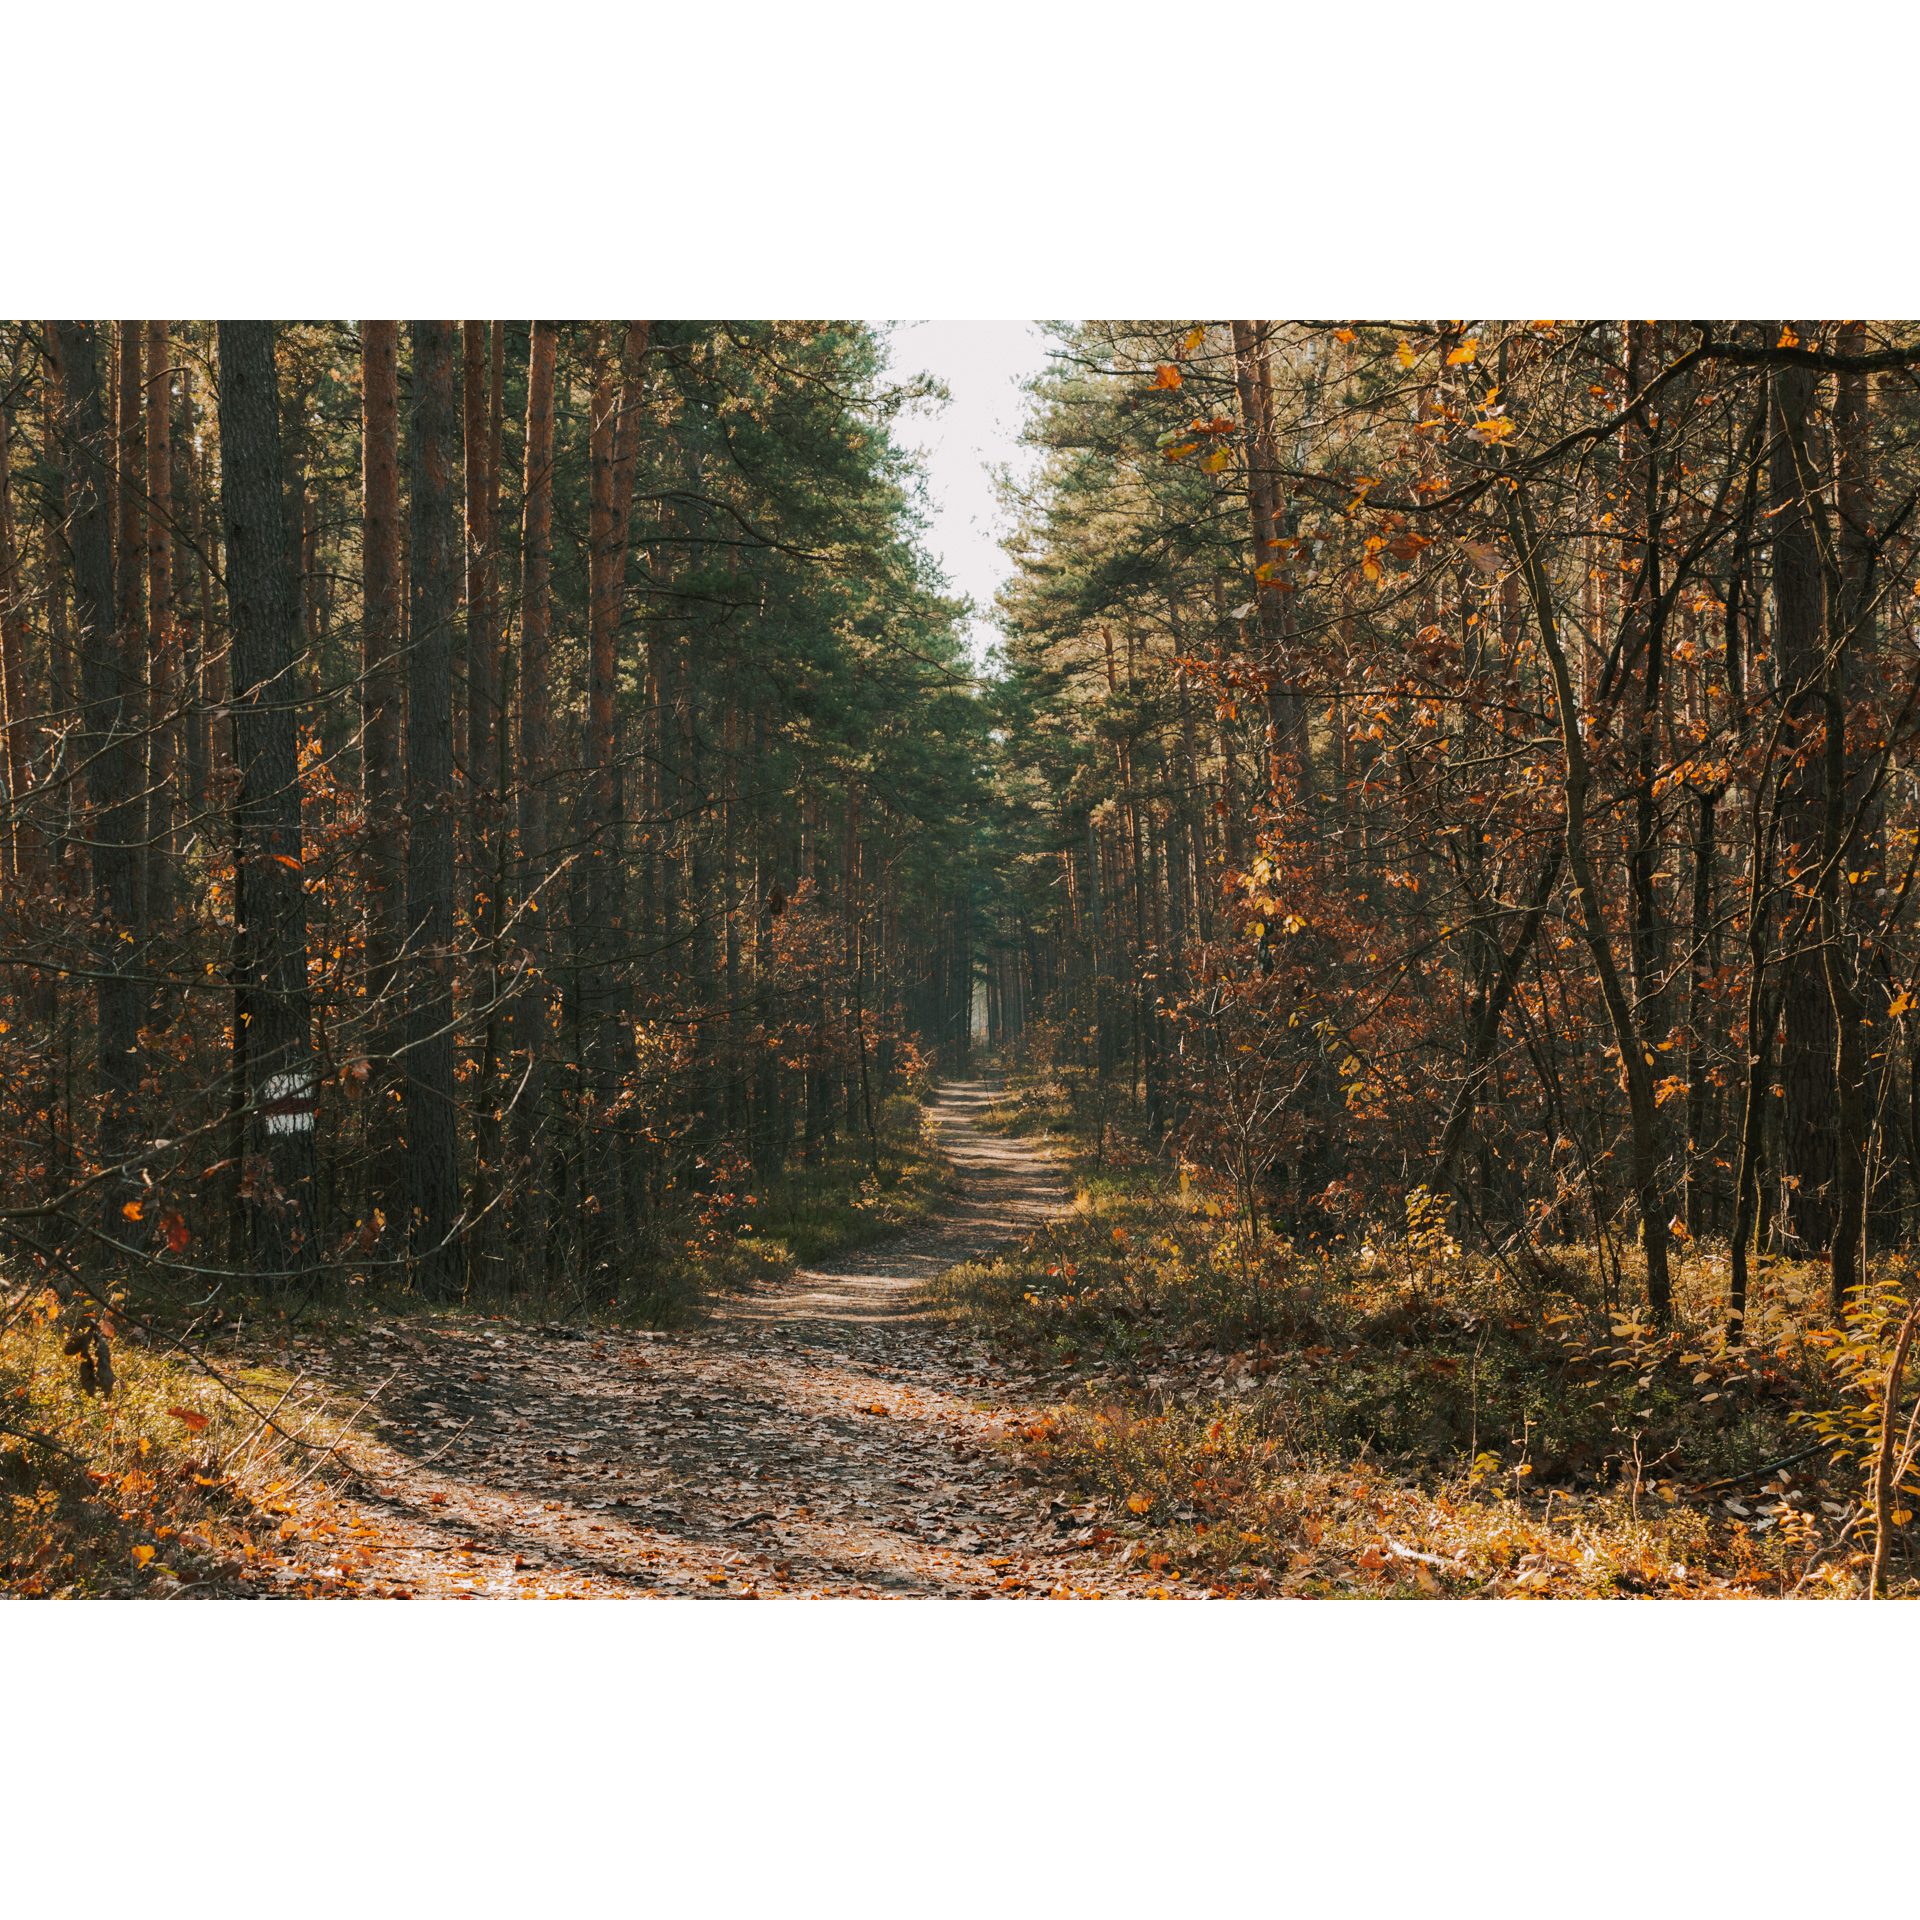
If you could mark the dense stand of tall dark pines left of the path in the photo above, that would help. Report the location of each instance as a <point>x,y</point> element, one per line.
<point>437,844</point>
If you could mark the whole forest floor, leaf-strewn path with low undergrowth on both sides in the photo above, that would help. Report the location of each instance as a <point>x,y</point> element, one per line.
<point>1059,1381</point>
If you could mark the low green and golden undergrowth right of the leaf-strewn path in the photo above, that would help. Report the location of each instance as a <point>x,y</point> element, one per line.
<point>1401,1416</point>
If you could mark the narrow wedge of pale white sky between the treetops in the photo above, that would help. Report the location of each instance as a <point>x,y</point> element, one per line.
<point>982,364</point>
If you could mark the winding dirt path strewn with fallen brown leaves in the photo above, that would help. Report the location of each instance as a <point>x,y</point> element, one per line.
<point>819,1439</point>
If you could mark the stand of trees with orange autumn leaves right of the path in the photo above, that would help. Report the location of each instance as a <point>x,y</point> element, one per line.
<point>1562,752</point>
